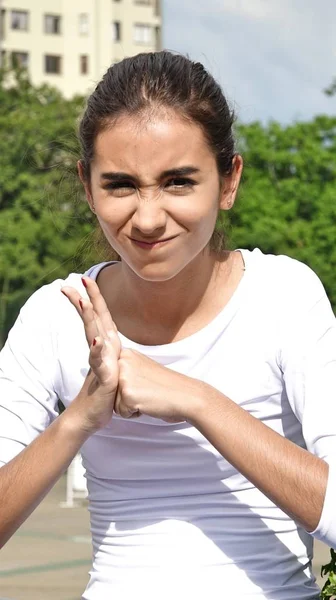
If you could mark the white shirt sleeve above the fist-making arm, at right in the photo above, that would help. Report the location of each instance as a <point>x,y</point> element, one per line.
<point>308,362</point>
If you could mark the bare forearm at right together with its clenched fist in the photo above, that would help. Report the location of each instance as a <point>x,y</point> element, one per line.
<point>293,478</point>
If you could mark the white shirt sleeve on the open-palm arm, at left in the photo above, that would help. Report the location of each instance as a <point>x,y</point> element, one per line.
<point>28,363</point>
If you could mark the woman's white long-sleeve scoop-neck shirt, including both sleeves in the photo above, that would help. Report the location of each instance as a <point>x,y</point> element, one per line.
<point>170,517</point>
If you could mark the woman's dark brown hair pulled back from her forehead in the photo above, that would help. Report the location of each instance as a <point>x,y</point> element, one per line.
<point>167,80</point>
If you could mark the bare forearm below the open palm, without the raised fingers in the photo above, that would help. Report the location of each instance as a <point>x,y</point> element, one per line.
<point>26,479</point>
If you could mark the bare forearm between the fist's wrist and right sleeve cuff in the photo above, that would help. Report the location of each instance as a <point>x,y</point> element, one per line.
<point>293,478</point>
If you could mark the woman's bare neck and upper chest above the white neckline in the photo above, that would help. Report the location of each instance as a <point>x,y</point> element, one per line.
<point>161,312</point>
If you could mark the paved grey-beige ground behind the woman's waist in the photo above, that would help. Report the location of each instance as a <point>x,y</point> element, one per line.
<point>49,557</point>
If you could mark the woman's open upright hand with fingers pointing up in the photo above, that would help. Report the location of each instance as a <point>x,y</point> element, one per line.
<point>95,403</point>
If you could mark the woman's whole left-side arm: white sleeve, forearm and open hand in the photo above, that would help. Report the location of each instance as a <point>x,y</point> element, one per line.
<point>27,397</point>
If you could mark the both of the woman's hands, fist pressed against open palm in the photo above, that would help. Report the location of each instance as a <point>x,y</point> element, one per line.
<point>123,380</point>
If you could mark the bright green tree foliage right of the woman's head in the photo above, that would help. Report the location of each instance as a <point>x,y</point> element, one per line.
<point>287,199</point>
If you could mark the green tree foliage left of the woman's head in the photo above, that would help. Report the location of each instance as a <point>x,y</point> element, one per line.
<point>43,219</point>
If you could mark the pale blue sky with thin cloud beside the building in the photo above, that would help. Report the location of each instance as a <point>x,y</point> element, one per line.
<point>273,58</point>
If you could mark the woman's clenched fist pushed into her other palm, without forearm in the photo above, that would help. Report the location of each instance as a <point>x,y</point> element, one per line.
<point>146,387</point>
